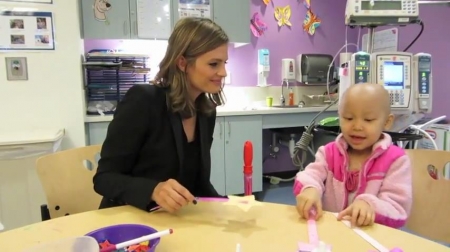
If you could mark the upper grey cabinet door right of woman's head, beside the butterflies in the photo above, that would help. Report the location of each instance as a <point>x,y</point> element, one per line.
<point>234,17</point>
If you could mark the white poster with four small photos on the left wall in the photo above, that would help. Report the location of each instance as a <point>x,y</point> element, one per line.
<point>26,31</point>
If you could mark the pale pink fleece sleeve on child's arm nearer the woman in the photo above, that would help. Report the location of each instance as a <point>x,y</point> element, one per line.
<point>314,174</point>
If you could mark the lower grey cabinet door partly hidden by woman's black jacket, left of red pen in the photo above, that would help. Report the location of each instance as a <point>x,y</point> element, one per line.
<point>218,157</point>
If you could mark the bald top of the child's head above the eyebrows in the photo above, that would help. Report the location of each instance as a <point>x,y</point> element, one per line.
<point>367,95</point>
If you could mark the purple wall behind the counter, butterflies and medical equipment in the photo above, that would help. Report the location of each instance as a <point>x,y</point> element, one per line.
<point>288,42</point>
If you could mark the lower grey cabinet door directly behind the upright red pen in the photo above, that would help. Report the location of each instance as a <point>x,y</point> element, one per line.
<point>238,130</point>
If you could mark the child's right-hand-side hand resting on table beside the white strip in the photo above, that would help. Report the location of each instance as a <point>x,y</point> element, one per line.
<point>359,213</point>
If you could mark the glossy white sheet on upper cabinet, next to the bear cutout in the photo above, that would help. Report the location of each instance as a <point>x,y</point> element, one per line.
<point>153,19</point>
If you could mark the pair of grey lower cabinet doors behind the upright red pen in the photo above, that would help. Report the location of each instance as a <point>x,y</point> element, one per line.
<point>230,134</point>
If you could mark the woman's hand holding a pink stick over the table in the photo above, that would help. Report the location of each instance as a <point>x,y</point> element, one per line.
<point>171,195</point>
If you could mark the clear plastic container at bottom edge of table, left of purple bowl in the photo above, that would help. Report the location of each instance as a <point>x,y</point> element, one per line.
<point>73,244</point>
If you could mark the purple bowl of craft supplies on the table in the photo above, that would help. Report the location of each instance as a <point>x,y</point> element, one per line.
<point>124,232</point>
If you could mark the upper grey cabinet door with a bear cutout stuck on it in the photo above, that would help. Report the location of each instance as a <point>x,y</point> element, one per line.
<point>106,19</point>
